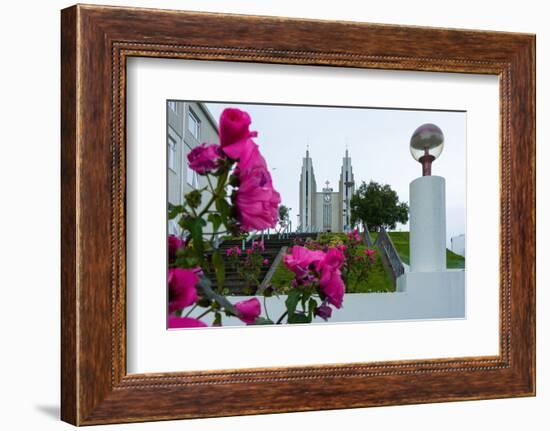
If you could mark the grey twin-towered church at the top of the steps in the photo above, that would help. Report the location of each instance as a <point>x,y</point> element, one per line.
<point>327,210</point>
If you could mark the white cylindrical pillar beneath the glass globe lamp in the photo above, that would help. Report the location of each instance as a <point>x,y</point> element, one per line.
<point>427,225</point>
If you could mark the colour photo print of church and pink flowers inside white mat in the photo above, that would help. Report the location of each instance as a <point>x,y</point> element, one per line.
<point>295,214</point>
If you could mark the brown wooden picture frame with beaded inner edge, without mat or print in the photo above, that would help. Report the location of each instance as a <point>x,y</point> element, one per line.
<point>96,41</point>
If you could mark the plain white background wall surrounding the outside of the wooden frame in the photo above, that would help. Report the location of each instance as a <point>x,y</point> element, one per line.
<point>29,167</point>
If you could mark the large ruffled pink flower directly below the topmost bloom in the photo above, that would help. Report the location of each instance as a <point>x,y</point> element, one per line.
<point>257,202</point>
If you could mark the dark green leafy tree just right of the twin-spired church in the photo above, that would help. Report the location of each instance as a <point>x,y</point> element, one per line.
<point>377,205</point>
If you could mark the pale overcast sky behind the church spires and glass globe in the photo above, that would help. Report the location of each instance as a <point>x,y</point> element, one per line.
<point>378,142</point>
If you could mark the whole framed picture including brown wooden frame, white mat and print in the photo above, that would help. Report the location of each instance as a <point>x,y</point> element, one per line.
<point>338,209</point>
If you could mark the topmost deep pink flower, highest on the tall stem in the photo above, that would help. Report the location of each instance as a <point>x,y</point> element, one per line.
<point>234,132</point>
